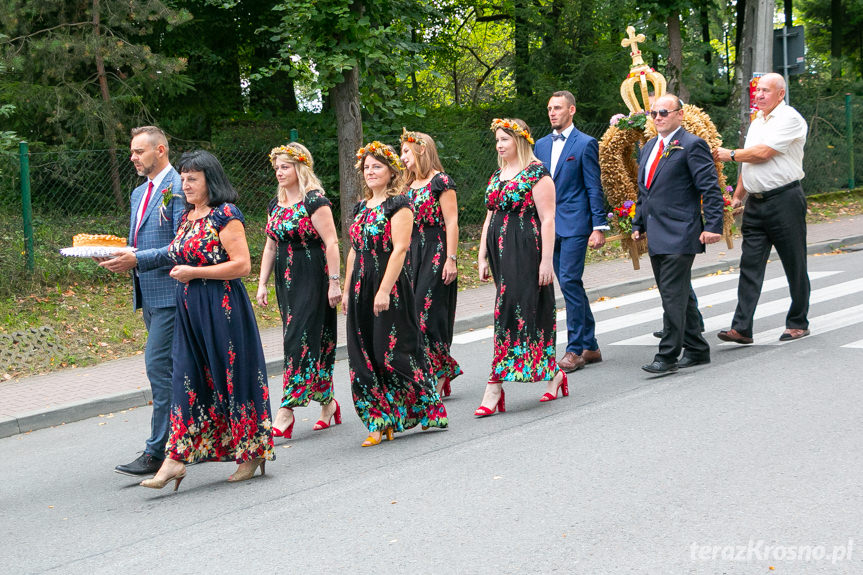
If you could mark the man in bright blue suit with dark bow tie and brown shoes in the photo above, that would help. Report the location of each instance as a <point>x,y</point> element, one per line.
<point>572,158</point>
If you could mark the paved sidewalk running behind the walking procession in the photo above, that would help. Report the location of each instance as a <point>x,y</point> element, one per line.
<point>73,394</point>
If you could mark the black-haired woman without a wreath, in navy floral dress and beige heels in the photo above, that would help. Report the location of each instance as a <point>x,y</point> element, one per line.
<point>220,409</point>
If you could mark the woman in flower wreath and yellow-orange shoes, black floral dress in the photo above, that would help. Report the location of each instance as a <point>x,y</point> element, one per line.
<point>392,384</point>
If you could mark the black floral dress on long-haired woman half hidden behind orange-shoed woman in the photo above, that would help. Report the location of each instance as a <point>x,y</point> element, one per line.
<point>435,301</point>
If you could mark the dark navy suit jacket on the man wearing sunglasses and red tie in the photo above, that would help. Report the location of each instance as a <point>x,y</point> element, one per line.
<point>670,211</point>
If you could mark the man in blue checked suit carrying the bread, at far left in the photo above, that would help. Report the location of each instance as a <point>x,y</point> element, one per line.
<point>151,228</point>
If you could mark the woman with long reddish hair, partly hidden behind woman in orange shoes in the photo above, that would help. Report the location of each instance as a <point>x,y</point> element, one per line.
<point>434,243</point>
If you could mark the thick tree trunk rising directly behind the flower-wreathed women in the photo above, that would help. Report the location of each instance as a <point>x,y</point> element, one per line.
<point>346,101</point>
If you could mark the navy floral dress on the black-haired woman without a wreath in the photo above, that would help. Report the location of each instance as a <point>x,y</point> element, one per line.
<point>220,409</point>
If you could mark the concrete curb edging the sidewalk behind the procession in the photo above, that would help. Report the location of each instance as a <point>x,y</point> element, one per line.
<point>11,425</point>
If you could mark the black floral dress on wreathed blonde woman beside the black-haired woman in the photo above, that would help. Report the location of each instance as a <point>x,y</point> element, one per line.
<point>302,283</point>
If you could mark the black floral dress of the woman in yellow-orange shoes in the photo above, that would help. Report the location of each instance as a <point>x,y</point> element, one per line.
<point>391,381</point>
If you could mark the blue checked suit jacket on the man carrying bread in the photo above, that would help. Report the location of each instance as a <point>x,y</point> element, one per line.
<point>153,286</point>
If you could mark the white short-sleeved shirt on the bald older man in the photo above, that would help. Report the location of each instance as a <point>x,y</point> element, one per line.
<point>784,130</point>
